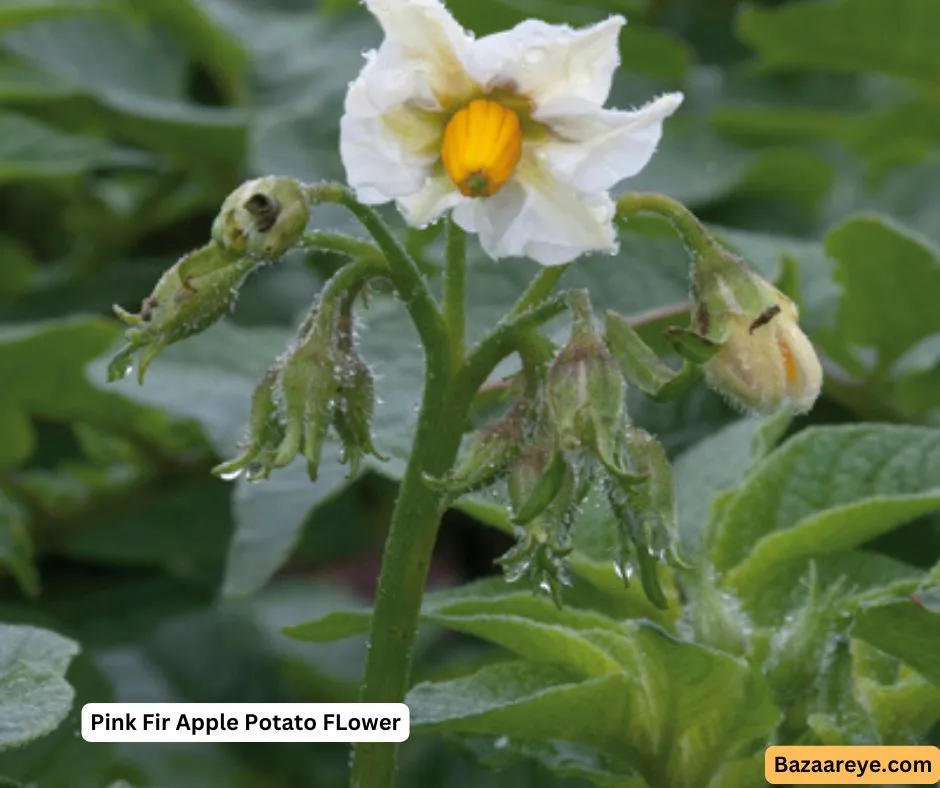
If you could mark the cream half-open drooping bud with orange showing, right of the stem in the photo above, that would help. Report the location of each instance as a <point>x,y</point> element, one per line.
<point>764,360</point>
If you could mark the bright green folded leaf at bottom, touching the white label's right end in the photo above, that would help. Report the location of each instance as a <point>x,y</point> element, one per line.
<point>669,713</point>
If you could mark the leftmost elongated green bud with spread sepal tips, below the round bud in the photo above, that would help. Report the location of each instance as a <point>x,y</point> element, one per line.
<point>188,298</point>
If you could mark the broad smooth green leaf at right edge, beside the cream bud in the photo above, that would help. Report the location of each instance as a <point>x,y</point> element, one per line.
<point>889,275</point>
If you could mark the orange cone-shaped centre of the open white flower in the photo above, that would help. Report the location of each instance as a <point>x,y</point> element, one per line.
<point>481,148</point>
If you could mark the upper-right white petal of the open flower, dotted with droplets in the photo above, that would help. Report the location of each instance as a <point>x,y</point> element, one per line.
<point>543,61</point>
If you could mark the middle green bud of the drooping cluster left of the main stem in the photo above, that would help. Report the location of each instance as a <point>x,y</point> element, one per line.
<point>309,388</point>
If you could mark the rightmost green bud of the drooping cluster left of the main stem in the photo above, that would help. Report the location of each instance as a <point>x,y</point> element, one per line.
<point>352,412</point>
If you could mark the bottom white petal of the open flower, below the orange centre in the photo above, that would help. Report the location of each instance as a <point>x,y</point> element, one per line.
<point>535,215</point>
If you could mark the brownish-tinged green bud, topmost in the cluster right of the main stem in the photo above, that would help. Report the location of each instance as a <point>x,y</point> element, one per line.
<point>586,390</point>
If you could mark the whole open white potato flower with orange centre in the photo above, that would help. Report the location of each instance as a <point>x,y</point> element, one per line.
<point>508,130</point>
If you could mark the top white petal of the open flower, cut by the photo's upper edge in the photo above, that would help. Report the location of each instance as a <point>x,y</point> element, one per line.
<point>423,40</point>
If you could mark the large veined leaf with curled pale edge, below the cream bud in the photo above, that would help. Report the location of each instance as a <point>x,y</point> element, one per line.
<point>827,490</point>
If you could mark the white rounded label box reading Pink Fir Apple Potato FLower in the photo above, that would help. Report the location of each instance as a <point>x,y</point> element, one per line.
<point>245,722</point>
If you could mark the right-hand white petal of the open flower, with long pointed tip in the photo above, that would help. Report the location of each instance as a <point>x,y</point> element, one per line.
<point>597,148</point>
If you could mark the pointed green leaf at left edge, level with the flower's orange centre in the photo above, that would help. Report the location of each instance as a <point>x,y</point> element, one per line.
<point>30,150</point>
